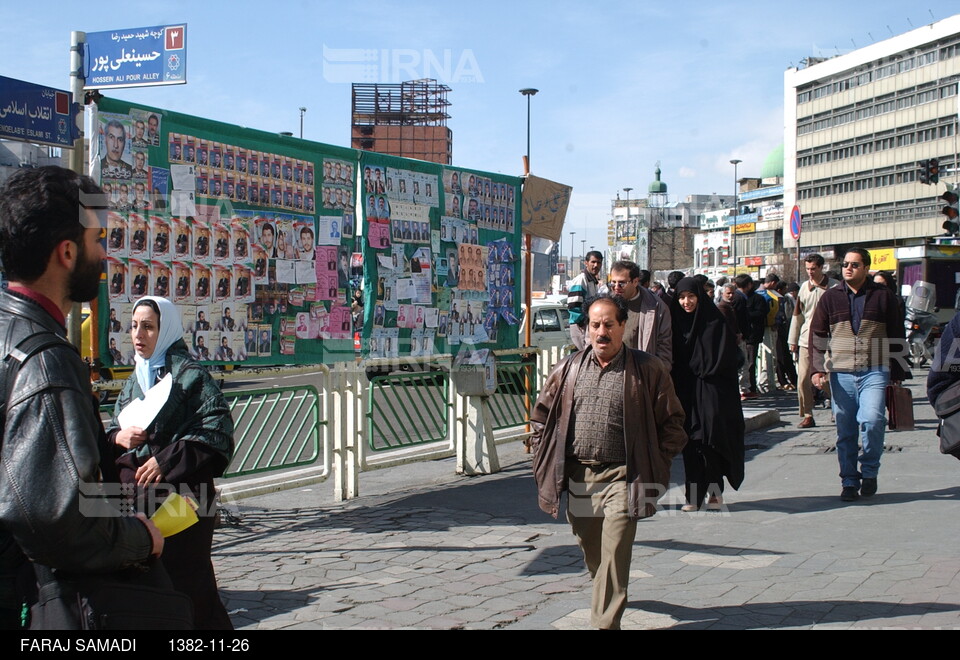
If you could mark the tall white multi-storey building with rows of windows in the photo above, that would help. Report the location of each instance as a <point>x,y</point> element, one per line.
<point>855,128</point>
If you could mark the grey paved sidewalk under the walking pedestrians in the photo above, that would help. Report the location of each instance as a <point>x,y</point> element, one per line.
<point>423,548</point>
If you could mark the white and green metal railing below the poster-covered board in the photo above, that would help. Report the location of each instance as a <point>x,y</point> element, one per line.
<point>348,423</point>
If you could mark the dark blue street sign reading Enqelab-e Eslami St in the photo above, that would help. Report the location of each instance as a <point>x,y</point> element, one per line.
<point>34,113</point>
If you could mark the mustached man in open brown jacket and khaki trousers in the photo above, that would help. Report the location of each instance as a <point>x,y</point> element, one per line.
<point>607,425</point>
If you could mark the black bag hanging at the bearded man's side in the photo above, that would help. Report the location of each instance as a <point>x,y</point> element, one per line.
<point>138,598</point>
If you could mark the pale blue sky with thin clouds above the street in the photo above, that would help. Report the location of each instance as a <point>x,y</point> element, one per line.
<point>623,84</point>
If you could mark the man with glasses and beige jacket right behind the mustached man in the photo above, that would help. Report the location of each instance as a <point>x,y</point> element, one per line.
<point>648,319</point>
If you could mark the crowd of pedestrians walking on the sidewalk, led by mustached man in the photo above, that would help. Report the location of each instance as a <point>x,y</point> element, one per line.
<point>661,369</point>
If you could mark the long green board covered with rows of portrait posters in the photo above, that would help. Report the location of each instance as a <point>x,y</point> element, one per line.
<point>257,239</point>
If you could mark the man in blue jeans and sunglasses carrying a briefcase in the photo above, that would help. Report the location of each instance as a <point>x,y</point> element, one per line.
<point>857,337</point>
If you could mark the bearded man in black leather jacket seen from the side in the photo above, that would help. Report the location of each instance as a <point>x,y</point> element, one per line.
<point>50,463</point>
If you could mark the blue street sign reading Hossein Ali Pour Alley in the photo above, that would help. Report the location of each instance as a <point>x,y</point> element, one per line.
<point>136,57</point>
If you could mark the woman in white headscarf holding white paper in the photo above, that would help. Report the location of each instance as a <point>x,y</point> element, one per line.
<point>187,445</point>
